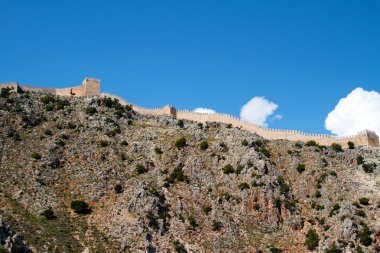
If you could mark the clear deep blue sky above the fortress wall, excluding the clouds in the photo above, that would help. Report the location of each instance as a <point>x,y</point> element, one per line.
<point>302,55</point>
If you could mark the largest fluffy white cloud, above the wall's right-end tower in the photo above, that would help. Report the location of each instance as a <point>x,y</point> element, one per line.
<point>358,111</point>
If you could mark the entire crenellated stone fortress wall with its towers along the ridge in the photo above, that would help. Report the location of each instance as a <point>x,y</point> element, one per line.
<point>91,87</point>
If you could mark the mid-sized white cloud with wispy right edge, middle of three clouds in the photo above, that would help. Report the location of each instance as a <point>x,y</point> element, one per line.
<point>258,110</point>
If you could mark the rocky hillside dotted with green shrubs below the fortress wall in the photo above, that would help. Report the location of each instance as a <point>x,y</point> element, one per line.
<point>90,175</point>
